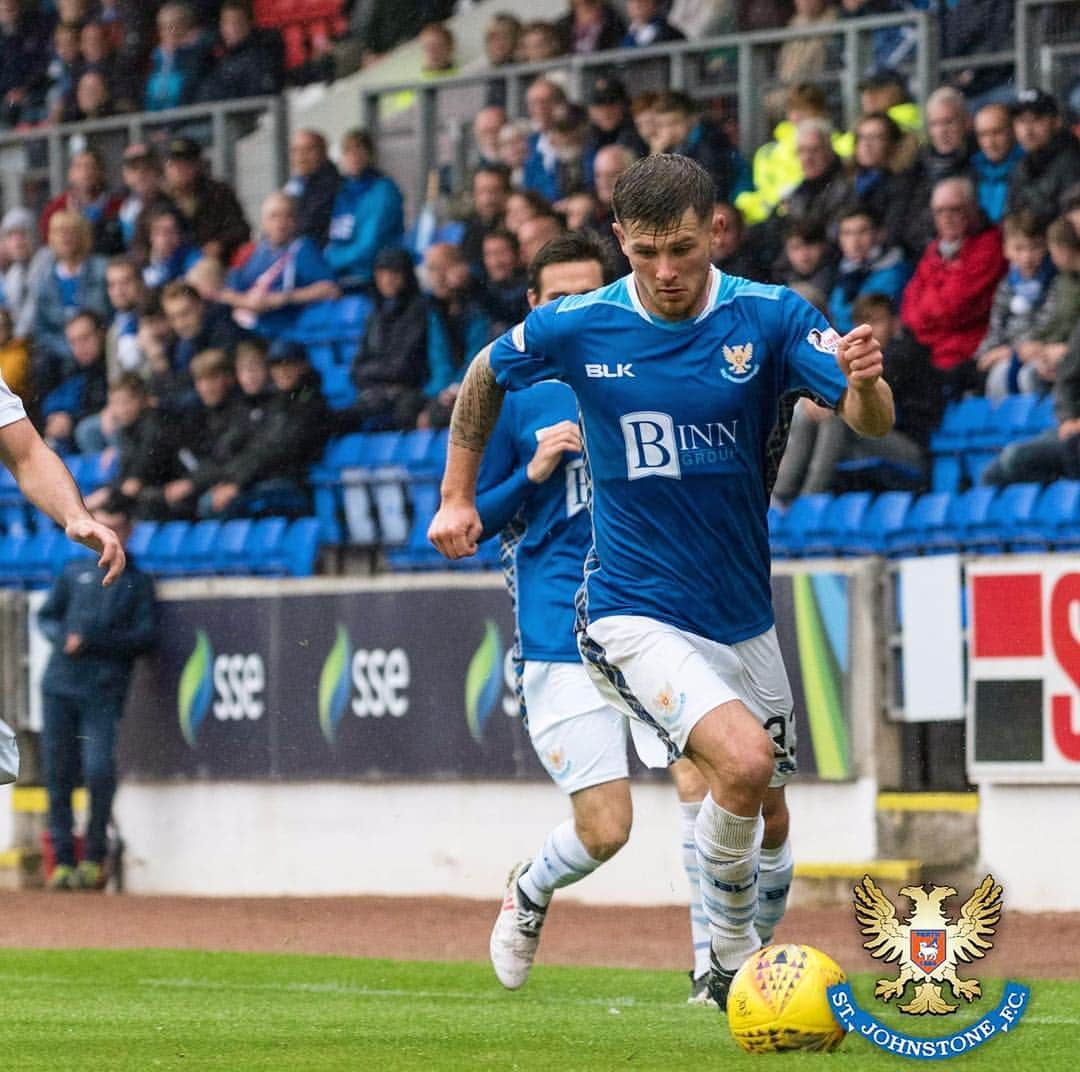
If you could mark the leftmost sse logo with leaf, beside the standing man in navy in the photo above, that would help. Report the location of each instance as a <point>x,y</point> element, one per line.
<point>231,685</point>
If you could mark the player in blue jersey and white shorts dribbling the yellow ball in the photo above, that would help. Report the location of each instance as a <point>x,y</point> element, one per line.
<point>680,373</point>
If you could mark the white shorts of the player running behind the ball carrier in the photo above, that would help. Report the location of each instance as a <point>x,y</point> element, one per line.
<point>579,739</point>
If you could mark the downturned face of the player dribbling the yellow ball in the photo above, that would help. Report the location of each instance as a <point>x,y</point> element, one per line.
<point>671,268</point>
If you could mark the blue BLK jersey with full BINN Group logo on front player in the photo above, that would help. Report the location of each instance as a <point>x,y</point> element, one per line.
<point>677,419</point>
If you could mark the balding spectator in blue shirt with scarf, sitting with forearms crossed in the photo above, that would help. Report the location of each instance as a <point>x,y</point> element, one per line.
<point>286,273</point>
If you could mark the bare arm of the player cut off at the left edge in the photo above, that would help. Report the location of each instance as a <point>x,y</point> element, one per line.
<point>45,480</point>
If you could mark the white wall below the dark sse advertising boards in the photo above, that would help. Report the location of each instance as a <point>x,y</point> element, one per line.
<point>425,839</point>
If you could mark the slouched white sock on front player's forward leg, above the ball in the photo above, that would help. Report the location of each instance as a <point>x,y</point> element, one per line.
<point>727,854</point>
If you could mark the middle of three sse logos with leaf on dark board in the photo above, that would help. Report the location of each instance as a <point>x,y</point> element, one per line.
<point>380,679</point>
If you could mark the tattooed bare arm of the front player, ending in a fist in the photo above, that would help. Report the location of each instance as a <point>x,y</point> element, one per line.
<point>456,530</point>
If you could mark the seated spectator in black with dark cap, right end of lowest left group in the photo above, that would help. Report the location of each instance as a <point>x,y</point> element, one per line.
<point>269,474</point>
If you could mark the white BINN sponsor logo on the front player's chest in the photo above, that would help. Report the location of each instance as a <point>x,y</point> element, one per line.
<point>657,446</point>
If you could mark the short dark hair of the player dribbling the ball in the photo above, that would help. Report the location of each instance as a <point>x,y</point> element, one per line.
<point>658,191</point>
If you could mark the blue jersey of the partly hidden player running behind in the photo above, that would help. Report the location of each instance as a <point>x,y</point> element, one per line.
<point>545,528</point>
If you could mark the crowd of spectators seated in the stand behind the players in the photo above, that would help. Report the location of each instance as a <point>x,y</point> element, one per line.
<point>151,323</point>
